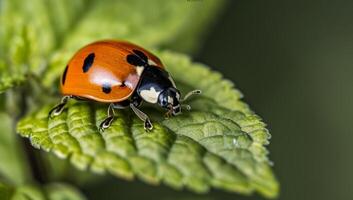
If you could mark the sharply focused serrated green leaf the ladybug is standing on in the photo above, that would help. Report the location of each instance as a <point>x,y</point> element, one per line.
<point>219,144</point>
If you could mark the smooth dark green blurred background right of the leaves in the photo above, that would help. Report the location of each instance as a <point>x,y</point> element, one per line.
<point>293,60</point>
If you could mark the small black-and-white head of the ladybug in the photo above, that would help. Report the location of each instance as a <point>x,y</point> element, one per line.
<point>170,99</point>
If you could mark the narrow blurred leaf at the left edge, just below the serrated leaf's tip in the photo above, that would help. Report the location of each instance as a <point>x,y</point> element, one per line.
<point>13,167</point>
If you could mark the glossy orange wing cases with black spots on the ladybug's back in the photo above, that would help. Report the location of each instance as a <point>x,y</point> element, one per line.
<point>100,71</point>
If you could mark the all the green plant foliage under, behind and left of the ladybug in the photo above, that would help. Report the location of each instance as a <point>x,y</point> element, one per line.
<point>219,144</point>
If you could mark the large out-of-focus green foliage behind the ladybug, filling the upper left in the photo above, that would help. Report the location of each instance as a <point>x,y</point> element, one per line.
<point>40,34</point>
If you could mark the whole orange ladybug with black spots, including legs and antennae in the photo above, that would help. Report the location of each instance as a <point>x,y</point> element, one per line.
<point>122,75</point>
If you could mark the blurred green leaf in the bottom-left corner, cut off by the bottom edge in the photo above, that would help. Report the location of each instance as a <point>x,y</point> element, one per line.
<point>53,191</point>
